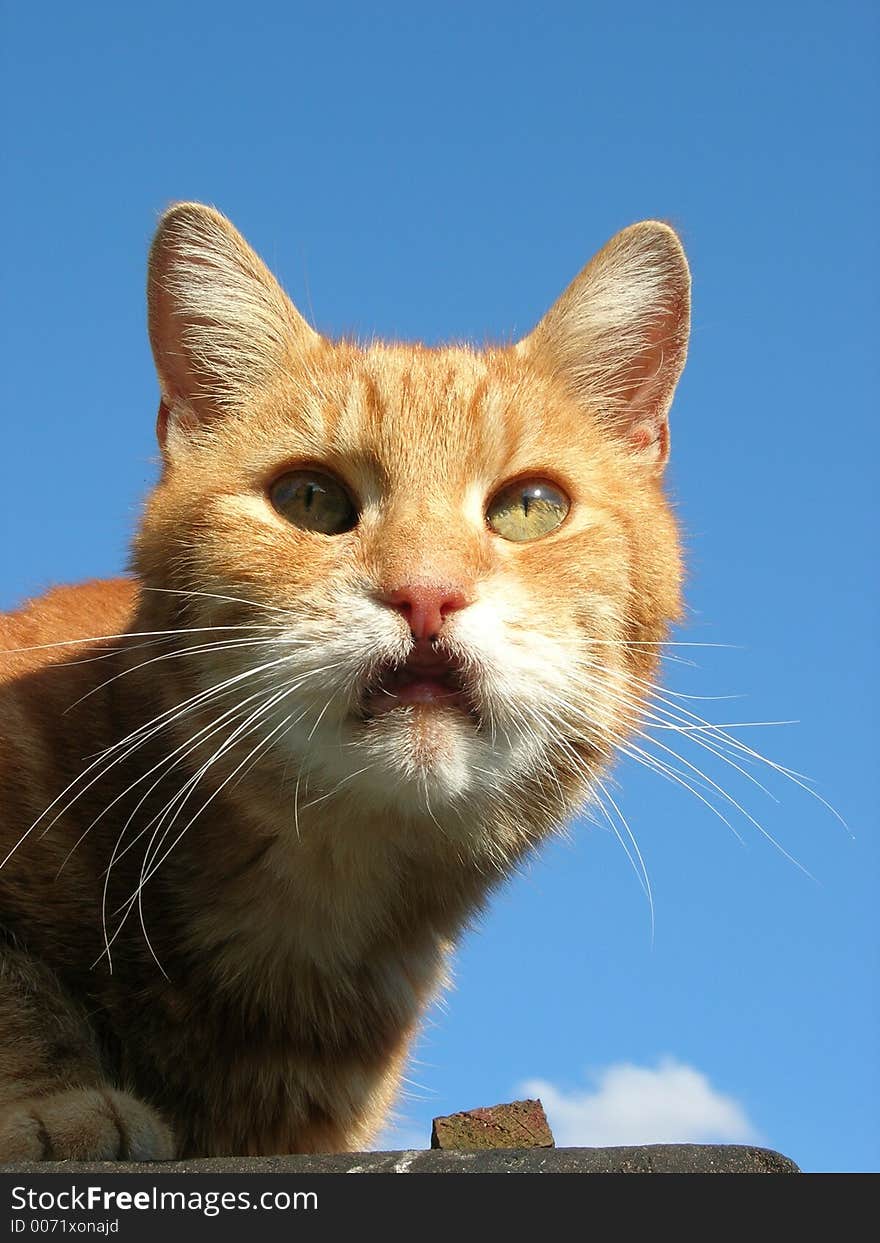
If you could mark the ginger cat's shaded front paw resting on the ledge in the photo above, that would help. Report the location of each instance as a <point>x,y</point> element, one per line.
<point>84,1124</point>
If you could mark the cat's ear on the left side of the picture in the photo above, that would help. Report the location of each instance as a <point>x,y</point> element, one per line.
<point>219,323</point>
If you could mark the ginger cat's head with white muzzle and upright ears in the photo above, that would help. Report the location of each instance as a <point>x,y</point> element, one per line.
<point>452,569</point>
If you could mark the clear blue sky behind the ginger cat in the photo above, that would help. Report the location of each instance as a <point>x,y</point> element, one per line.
<point>443,172</point>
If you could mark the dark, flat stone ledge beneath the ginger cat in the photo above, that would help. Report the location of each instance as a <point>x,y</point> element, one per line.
<point>646,1159</point>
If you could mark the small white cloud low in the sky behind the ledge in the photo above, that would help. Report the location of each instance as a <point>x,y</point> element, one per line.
<point>669,1104</point>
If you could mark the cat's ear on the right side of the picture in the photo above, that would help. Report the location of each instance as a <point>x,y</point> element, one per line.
<point>618,336</point>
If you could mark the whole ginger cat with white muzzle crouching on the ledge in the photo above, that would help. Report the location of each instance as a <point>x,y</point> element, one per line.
<point>390,616</point>
